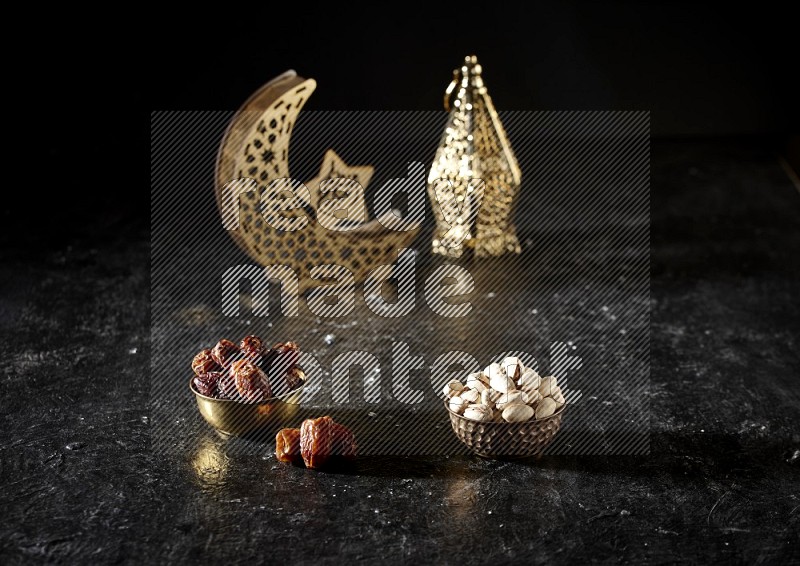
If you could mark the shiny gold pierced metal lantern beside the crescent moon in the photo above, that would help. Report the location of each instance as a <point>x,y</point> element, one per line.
<point>475,178</point>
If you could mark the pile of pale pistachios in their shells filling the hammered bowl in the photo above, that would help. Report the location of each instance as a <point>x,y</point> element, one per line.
<point>507,391</point>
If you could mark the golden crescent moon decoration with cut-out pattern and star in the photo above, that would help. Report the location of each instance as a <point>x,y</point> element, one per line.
<point>255,147</point>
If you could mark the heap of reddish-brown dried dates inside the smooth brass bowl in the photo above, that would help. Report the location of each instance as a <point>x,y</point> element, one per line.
<point>250,372</point>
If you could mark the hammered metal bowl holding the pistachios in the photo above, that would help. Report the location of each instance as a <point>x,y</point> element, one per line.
<point>494,439</point>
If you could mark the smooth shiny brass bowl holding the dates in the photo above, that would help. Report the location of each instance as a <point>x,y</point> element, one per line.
<point>235,418</point>
